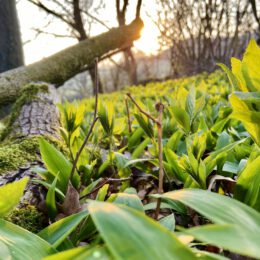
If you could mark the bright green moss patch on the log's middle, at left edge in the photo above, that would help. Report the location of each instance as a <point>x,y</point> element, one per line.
<point>14,155</point>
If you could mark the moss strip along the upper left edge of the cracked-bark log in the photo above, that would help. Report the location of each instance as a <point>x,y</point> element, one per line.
<point>28,94</point>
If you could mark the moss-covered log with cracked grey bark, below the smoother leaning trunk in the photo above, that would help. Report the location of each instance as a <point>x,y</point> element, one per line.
<point>34,115</point>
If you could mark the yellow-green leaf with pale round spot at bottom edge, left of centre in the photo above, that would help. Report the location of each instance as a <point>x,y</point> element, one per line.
<point>82,253</point>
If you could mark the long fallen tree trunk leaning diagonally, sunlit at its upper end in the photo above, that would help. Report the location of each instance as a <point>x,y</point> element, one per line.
<point>63,65</point>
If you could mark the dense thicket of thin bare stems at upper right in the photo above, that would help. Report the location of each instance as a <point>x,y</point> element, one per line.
<point>203,32</point>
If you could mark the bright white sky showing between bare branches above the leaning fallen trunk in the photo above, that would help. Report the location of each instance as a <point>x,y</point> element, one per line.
<point>36,48</point>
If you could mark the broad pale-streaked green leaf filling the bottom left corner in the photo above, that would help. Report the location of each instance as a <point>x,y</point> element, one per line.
<point>23,244</point>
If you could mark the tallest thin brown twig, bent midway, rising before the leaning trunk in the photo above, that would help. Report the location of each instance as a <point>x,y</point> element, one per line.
<point>95,118</point>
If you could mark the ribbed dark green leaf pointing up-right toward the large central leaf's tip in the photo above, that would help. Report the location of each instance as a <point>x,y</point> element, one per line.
<point>57,232</point>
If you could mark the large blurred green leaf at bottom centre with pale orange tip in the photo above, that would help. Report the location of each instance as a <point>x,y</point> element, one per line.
<point>137,234</point>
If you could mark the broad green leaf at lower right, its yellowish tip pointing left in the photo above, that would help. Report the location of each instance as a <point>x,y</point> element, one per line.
<point>214,207</point>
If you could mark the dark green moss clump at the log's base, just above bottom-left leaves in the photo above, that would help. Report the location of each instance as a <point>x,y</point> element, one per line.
<point>28,217</point>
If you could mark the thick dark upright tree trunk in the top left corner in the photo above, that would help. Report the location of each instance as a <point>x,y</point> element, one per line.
<point>11,53</point>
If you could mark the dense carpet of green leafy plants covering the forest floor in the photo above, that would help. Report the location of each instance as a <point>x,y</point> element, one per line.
<point>164,171</point>
